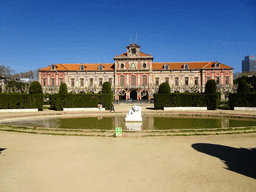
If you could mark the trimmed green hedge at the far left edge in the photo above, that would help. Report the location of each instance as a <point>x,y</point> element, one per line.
<point>21,101</point>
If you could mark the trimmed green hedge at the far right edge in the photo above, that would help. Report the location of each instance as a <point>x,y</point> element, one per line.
<point>242,100</point>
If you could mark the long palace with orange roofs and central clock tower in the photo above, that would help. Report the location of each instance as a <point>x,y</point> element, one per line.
<point>134,75</point>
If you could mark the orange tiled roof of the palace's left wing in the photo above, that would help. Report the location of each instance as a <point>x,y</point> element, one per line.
<point>76,67</point>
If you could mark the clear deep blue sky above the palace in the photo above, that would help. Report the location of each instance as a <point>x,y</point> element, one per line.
<point>37,33</point>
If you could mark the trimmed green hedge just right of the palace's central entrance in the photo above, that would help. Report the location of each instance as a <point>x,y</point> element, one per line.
<point>186,100</point>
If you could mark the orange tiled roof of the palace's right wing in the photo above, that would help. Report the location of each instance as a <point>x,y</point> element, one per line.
<point>191,65</point>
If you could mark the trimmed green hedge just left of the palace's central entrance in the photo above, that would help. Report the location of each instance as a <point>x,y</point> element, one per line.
<point>69,100</point>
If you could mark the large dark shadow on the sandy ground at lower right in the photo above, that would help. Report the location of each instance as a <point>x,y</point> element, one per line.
<point>239,160</point>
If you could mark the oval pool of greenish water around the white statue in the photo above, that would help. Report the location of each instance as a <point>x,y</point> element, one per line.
<point>148,123</point>
